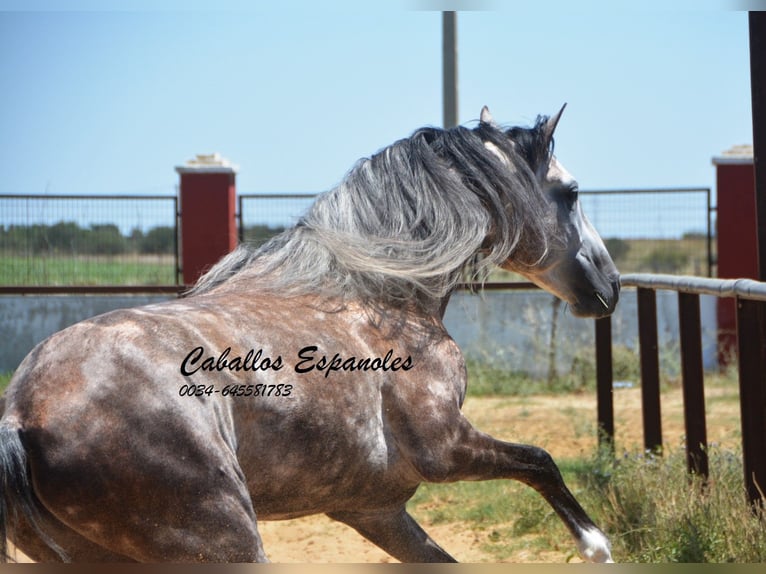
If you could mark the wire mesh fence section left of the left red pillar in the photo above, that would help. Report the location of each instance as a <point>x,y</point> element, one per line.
<point>88,240</point>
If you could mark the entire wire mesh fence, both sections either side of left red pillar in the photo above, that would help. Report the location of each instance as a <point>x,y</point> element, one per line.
<point>95,240</point>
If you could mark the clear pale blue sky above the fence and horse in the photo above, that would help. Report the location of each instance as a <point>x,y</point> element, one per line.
<point>101,97</point>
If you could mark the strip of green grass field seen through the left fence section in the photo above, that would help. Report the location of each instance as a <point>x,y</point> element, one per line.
<point>88,270</point>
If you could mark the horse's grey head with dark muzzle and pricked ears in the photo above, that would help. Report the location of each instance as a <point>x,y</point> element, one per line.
<point>576,267</point>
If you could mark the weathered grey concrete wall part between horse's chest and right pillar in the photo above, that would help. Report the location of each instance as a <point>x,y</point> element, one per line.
<point>514,330</point>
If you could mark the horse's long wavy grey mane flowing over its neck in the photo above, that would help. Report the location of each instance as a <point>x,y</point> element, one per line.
<point>401,225</point>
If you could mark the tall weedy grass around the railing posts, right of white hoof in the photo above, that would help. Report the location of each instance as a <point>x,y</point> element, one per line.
<point>656,512</point>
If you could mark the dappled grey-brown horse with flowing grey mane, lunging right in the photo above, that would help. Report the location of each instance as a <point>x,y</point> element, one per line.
<point>310,375</point>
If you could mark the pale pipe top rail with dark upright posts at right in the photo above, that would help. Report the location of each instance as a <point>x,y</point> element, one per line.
<point>750,299</point>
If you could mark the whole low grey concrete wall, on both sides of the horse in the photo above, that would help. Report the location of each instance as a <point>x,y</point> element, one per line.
<point>508,329</point>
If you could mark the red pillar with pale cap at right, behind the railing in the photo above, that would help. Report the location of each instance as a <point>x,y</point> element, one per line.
<point>736,235</point>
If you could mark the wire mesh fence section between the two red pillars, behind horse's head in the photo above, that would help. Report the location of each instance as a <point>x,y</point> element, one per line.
<point>652,230</point>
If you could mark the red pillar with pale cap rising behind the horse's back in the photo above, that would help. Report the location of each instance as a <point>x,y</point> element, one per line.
<point>207,196</point>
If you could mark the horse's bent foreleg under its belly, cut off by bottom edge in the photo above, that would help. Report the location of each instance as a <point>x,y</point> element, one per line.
<point>397,533</point>
